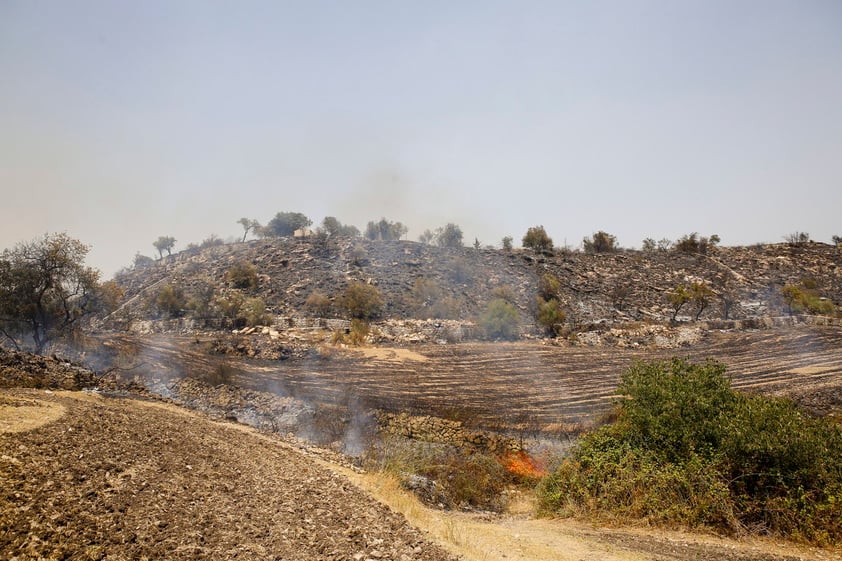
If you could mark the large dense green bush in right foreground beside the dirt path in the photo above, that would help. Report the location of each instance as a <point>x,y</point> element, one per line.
<point>687,449</point>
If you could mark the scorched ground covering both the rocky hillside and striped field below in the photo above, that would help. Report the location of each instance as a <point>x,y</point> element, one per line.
<point>529,385</point>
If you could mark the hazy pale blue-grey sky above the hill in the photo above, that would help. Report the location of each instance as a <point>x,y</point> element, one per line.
<point>121,121</point>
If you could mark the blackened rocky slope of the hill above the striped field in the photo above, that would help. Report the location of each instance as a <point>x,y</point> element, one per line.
<point>601,289</point>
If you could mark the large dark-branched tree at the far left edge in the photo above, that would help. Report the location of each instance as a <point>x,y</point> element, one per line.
<point>45,289</point>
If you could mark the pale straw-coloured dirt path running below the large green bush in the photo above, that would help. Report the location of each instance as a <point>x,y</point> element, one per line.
<point>520,537</point>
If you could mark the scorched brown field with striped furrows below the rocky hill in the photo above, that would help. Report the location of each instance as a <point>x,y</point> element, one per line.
<point>525,384</point>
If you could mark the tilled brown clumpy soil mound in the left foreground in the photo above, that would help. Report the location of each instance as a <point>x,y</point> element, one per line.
<point>126,479</point>
